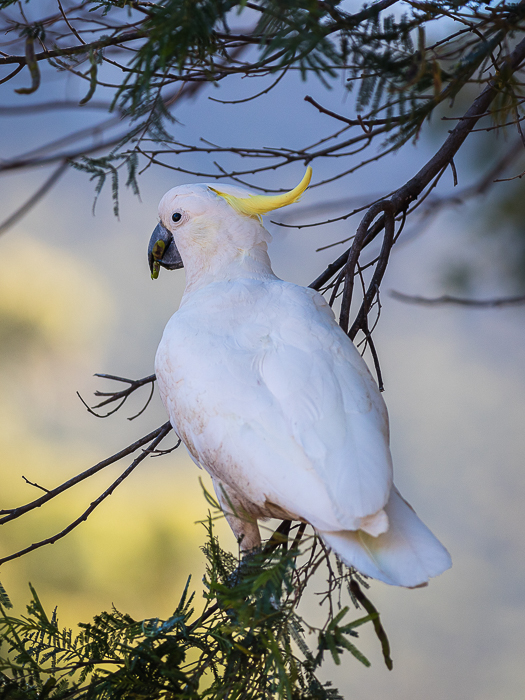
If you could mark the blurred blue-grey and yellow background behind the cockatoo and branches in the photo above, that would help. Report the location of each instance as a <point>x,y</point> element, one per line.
<point>76,298</point>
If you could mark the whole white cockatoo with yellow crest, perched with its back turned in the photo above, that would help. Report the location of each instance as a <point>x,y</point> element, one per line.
<point>271,397</point>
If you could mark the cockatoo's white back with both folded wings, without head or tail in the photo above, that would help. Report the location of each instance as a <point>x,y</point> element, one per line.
<point>271,397</point>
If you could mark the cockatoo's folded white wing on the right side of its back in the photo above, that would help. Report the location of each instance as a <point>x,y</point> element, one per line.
<point>331,404</point>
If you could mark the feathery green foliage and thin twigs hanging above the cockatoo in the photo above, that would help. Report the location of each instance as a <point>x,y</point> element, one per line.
<point>402,60</point>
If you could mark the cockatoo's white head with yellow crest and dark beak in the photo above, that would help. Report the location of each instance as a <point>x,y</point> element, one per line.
<point>205,223</point>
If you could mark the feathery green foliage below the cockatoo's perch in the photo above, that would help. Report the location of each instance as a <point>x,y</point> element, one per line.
<point>248,642</point>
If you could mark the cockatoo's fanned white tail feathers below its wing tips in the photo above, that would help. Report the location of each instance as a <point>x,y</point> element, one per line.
<point>407,554</point>
